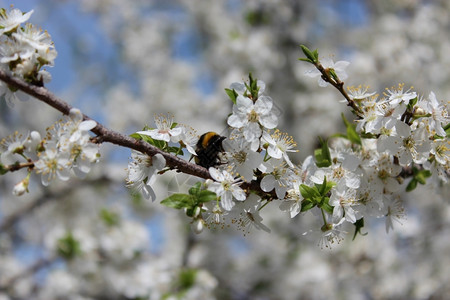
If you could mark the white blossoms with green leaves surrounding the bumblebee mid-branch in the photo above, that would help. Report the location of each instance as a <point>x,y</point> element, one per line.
<point>254,151</point>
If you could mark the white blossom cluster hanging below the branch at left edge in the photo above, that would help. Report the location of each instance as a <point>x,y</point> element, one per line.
<point>66,148</point>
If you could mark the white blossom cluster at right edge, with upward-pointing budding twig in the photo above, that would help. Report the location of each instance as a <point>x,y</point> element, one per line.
<point>399,137</point>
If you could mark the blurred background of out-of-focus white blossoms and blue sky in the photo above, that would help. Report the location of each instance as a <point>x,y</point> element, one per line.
<point>121,62</point>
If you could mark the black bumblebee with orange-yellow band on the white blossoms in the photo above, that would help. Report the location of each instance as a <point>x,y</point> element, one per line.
<point>209,146</point>
